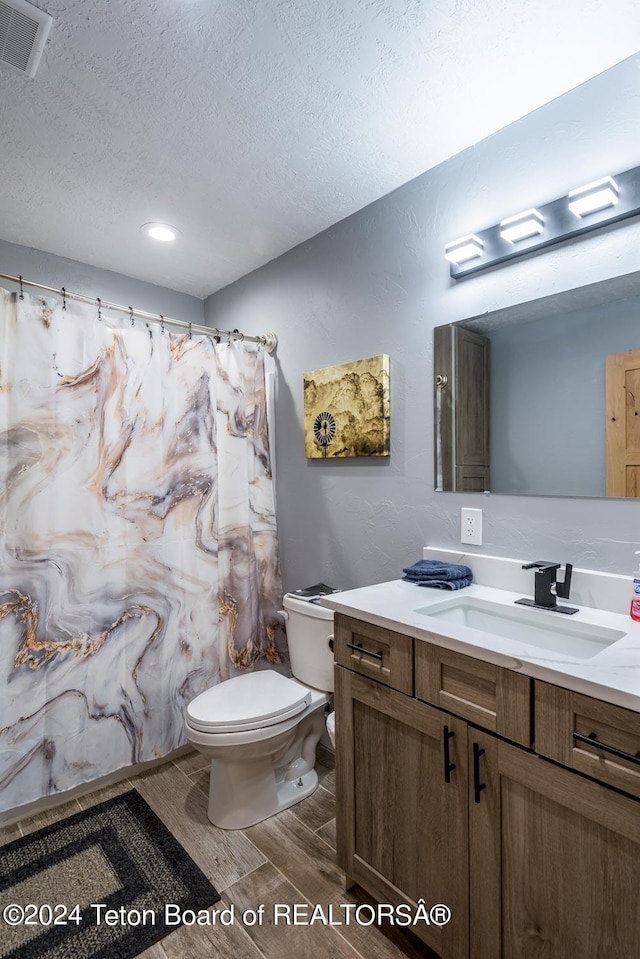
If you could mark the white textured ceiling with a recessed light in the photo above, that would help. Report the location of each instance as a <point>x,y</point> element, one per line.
<point>252,125</point>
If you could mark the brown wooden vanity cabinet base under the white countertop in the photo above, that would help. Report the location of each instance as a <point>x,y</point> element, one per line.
<point>444,794</point>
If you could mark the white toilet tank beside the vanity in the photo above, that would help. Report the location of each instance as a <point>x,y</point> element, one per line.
<point>309,629</point>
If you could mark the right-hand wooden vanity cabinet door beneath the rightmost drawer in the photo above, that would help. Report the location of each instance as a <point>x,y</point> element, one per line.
<point>566,853</point>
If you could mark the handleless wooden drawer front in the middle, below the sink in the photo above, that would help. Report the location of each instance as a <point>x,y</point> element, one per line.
<point>496,699</point>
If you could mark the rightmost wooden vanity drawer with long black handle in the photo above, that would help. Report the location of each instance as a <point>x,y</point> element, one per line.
<point>566,722</point>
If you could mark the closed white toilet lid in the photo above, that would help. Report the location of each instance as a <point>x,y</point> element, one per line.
<point>248,702</point>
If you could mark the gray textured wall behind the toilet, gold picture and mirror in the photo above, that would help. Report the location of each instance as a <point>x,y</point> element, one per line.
<point>378,283</point>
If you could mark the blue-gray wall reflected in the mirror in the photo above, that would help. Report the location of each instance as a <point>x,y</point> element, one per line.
<point>547,388</point>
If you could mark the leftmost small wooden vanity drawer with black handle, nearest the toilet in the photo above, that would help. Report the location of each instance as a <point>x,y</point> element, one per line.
<point>374,652</point>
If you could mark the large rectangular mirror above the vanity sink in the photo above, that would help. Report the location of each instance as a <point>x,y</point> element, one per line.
<point>528,386</point>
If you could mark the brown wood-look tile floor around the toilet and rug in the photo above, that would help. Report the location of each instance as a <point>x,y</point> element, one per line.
<point>287,859</point>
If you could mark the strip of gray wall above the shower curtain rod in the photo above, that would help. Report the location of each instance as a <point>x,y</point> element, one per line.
<point>77,277</point>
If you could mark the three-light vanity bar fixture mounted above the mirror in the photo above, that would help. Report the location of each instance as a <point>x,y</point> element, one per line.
<point>595,206</point>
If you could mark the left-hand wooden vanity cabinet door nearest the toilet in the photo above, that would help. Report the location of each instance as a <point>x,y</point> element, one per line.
<point>401,817</point>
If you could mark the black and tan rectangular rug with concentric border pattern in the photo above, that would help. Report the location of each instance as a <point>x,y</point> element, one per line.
<point>105,883</point>
